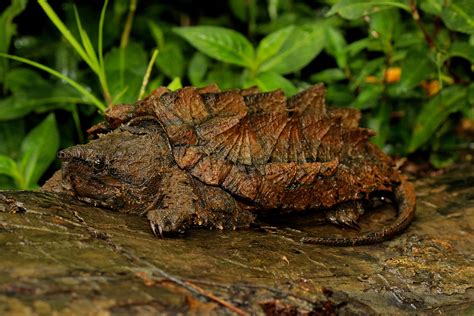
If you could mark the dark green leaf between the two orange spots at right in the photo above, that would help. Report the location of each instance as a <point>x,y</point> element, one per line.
<point>416,67</point>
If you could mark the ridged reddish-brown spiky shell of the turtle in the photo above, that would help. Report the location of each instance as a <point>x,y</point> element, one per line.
<point>270,151</point>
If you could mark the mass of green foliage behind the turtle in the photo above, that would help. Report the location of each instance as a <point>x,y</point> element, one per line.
<point>408,65</point>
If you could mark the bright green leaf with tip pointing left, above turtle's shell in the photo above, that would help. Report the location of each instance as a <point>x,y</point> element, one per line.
<point>220,43</point>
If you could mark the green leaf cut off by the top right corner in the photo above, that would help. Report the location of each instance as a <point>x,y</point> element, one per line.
<point>458,15</point>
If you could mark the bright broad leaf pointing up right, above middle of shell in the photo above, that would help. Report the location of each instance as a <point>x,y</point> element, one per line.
<point>299,48</point>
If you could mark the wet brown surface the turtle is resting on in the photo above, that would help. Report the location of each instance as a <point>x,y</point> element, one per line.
<point>60,255</point>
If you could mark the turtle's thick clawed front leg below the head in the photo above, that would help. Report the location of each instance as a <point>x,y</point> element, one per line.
<point>185,201</point>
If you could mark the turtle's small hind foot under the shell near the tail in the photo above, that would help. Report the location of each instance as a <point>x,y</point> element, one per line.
<point>346,214</point>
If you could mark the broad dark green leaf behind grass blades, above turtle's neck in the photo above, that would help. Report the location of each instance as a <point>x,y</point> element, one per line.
<point>125,68</point>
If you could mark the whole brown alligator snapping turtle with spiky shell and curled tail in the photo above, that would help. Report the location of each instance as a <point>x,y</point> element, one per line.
<point>204,157</point>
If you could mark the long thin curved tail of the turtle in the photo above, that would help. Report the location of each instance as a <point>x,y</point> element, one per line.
<point>406,201</point>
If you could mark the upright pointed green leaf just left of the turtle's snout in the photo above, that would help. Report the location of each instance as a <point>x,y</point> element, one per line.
<point>38,150</point>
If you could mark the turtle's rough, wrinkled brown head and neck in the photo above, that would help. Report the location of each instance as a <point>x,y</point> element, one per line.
<point>121,170</point>
